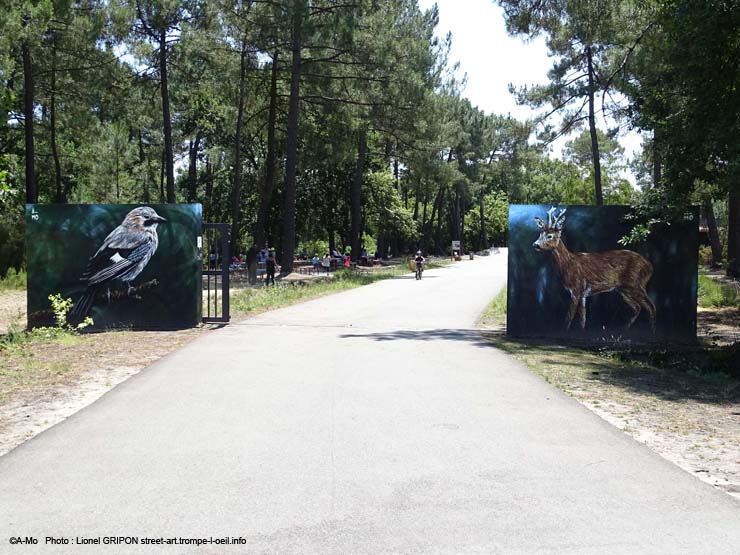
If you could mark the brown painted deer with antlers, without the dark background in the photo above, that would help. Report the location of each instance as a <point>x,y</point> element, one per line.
<point>589,273</point>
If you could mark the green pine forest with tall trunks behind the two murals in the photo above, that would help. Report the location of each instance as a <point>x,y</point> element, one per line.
<point>301,121</point>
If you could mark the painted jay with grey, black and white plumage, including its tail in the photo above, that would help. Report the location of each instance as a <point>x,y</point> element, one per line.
<point>122,256</point>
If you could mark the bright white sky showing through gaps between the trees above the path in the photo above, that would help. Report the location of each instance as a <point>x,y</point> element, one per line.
<point>492,60</point>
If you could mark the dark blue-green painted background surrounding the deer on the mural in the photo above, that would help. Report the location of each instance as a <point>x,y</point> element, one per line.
<point>538,302</point>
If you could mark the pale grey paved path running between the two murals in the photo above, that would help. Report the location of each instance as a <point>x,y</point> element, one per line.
<point>373,421</point>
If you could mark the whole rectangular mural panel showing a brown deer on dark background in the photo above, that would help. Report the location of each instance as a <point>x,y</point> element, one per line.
<point>570,277</point>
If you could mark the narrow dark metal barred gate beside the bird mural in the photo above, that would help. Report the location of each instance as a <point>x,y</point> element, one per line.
<point>216,257</point>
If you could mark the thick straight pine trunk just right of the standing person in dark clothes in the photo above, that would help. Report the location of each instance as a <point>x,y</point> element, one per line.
<point>291,155</point>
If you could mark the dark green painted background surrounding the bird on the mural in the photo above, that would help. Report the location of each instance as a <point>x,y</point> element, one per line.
<point>60,239</point>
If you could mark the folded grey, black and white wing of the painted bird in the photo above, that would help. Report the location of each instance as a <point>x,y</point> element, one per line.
<point>120,251</point>
